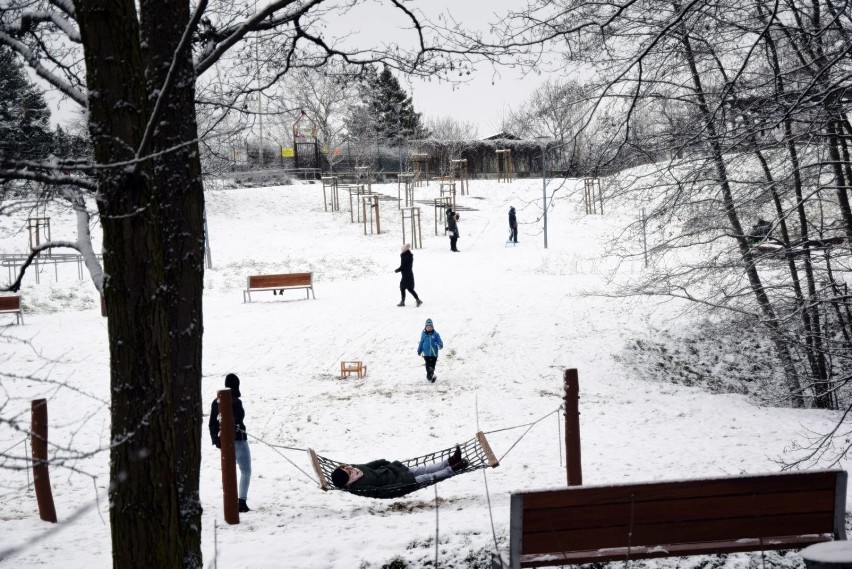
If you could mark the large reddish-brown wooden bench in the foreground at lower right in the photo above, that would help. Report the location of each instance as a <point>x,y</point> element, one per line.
<point>595,524</point>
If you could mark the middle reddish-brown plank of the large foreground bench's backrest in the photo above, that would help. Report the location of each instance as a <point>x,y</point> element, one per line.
<point>681,509</point>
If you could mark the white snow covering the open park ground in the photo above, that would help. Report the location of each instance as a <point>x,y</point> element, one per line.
<point>512,320</point>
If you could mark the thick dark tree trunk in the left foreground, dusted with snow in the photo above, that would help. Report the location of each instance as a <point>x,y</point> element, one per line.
<point>151,218</point>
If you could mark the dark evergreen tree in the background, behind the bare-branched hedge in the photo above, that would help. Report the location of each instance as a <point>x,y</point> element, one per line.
<point>376,114</point>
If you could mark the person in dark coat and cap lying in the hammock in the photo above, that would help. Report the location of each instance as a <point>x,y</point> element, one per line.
<point>381,473</point>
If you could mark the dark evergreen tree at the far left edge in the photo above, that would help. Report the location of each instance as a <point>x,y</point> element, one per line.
<point>24,116</point>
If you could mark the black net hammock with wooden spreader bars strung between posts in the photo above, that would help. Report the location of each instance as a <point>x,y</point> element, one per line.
<point>476,451</point>
